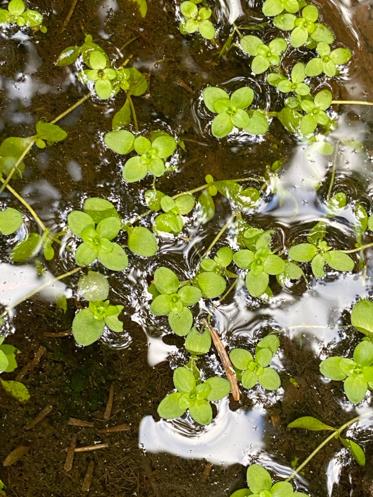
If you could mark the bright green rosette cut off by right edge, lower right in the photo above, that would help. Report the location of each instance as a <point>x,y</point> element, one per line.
<point>356,373</point>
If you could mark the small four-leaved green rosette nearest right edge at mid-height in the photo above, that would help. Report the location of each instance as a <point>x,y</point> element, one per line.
<point>320,254</point>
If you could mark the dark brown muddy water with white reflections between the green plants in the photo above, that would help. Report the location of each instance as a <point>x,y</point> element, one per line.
<point>76,382</point>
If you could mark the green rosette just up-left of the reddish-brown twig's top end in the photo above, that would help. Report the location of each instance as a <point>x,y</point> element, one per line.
<point>172,298</point>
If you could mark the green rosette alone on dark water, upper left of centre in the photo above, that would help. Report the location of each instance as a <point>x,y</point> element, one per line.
<point>152,153</point>
